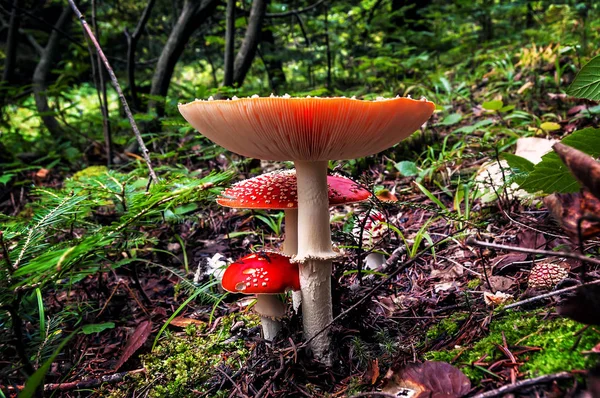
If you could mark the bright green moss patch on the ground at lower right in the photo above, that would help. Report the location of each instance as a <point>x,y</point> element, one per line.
<point>561,346</point>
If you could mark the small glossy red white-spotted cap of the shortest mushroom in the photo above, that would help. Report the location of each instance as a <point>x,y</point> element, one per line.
<point>261,273</point>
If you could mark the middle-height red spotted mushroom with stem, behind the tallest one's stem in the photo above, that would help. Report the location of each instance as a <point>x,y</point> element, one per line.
<point>277,191</point>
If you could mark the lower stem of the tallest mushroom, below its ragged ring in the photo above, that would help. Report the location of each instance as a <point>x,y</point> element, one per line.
<point>315,281</point>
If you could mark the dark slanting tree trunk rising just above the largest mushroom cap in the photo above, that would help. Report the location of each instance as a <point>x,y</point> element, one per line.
<point>247,52</point>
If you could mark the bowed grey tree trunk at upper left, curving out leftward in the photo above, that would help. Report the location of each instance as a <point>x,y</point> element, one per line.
<point>42,72</point>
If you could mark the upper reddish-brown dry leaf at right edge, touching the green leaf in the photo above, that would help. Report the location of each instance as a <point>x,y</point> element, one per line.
<point>585,169</point>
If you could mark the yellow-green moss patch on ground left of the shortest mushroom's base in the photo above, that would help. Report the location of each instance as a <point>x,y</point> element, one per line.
<point>185,362</point>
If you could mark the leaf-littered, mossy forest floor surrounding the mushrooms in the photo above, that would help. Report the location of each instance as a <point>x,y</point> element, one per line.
<point>440,296</point>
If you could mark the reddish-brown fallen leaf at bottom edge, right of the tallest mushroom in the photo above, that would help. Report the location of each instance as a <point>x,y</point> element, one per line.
<point>429,379</point>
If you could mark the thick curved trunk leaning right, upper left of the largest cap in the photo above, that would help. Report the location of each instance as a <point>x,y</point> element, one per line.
<point>193,15</point>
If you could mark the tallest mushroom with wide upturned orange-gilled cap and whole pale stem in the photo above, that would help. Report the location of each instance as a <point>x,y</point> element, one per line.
<point>310,132</point>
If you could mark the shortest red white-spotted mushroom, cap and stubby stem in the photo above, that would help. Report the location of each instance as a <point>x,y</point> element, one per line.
<point>266,275</point>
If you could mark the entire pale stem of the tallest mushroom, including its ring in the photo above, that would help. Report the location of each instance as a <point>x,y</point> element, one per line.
<point>314,252</point>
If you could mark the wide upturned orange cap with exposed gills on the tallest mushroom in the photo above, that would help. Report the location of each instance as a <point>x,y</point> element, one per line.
<point>310,129</point>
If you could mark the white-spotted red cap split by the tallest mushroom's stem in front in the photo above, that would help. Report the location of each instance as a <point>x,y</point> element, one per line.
<point>278,190</point>
